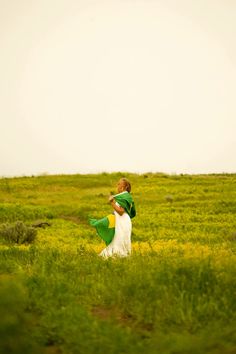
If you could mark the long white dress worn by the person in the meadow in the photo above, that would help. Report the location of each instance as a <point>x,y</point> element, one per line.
<point>121,243</point>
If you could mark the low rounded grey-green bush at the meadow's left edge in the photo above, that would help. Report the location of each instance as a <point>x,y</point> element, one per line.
<point>18,233</point>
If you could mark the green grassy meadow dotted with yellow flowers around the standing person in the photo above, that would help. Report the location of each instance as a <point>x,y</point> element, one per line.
<point>175,294</point>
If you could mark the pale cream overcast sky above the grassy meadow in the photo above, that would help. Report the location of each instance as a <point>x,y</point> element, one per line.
<point>117,85</point>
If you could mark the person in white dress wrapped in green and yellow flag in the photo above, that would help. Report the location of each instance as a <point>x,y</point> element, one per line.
<point>118,225</point>
